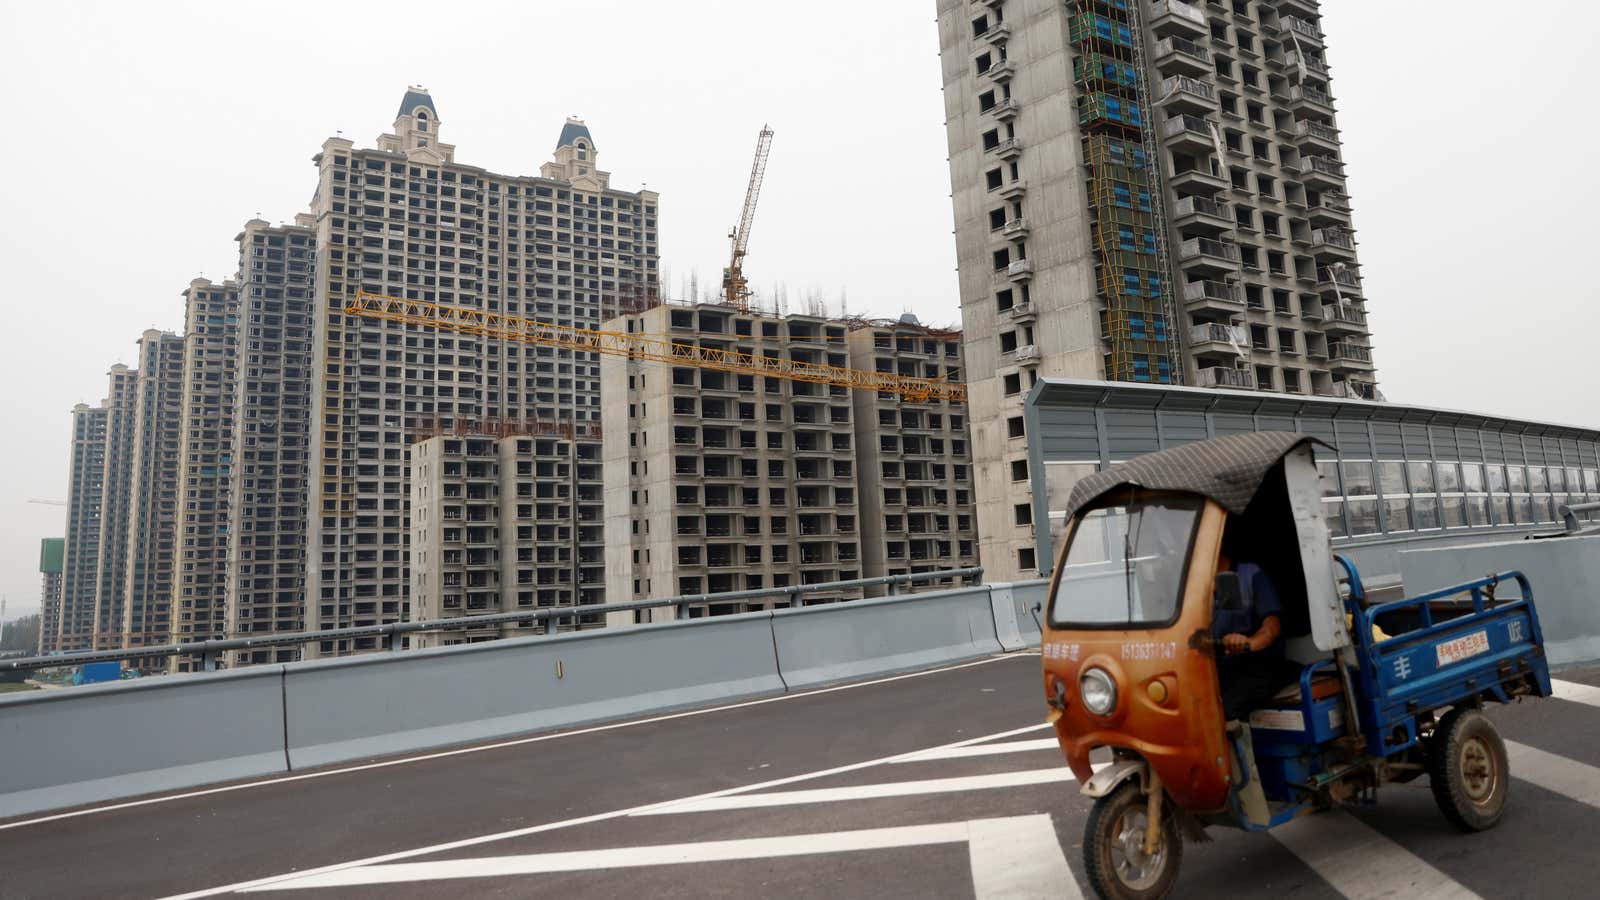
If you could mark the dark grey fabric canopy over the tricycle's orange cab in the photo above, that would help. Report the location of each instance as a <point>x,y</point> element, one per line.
<point>1226,470</point>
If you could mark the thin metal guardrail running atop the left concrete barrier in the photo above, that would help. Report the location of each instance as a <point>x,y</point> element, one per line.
<point>210,653</point>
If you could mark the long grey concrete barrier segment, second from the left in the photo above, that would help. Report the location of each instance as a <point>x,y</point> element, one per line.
<point>374,705</point>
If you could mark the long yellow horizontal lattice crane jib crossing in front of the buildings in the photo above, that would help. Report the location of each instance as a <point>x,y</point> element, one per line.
<point>484,324</point>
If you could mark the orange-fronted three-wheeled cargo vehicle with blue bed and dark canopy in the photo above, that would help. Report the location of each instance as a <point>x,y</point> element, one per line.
<point>1132,675</point>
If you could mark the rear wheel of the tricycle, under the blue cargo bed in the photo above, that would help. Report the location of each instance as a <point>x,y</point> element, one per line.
<point>1468,769</point>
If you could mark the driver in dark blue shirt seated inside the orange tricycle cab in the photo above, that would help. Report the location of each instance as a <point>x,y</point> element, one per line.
<point>1252,641</point>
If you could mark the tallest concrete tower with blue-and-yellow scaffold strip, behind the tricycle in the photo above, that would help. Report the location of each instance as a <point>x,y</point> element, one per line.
<point>1143,191</point>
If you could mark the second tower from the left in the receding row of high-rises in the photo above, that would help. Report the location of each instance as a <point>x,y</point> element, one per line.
<point>116,508</point>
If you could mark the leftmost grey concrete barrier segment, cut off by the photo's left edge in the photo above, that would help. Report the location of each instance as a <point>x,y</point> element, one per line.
<point>100,742</point>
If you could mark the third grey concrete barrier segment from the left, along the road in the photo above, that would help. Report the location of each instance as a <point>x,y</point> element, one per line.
<point>886,635</point>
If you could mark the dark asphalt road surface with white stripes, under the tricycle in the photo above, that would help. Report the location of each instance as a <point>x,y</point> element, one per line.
<point>938,784</point>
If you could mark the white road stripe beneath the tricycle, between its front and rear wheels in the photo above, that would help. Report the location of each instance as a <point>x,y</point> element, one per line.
<point>1362,864</point>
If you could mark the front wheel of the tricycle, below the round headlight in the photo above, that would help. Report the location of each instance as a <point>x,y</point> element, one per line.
<point>1114,848</point>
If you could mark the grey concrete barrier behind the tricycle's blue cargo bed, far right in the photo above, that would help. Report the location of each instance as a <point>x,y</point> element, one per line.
<point>1564,574</point>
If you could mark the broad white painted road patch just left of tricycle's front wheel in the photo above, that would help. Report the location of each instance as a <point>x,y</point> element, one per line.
<point>1020,859</point>
